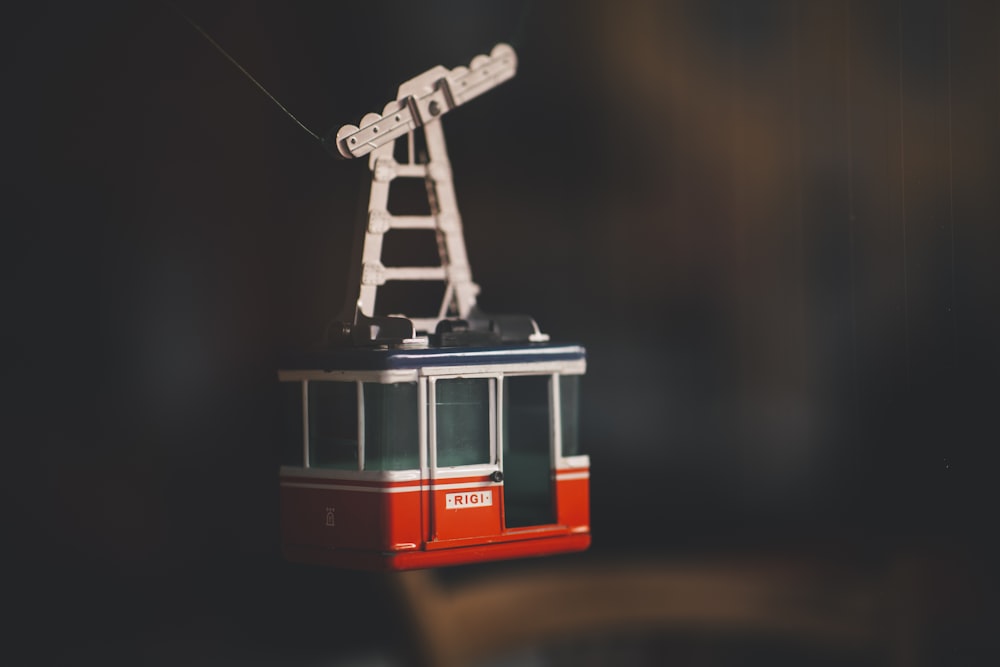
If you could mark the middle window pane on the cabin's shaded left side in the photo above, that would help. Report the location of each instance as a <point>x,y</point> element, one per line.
<point>333,425</point>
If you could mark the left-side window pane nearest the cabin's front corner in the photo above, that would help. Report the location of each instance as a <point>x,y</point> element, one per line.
<point>391,437</point>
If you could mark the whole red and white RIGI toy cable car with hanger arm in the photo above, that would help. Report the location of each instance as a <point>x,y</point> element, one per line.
<point>425,442</point>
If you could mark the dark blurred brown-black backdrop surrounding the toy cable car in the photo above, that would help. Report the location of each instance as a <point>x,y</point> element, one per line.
<point>774,225</point>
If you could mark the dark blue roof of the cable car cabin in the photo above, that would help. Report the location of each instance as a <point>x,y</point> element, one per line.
<point>377,359</point>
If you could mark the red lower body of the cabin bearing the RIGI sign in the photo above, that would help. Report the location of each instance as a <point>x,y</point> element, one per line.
<point>390,525</point>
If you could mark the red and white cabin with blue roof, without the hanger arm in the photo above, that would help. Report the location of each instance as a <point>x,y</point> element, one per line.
<point>410,458</point>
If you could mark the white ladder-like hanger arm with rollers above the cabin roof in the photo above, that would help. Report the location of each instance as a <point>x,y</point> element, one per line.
<point>420,103</point>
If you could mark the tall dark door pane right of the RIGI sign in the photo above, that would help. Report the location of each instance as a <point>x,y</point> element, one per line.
<point>527,467</point>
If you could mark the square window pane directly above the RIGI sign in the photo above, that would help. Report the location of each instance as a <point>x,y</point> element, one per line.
<point>463,421</point>
